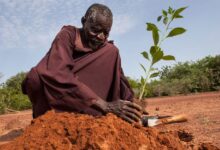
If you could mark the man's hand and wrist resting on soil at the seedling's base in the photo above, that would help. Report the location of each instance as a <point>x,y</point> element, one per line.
<point>126,110</point>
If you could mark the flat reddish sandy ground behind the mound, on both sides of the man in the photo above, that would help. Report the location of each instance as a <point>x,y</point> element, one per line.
<point>202,110</point>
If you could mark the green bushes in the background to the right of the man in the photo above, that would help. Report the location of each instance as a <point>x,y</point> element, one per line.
<point>184,78</point>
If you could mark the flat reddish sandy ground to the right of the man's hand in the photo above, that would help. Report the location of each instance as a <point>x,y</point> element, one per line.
<point>202,110</point>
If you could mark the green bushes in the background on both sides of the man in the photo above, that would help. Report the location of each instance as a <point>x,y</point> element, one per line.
<point>182,78</point>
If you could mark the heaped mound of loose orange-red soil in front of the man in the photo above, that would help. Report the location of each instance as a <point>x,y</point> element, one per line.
<point>74,131</point>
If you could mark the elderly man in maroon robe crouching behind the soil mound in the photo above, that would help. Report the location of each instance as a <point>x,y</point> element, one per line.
<point>82,72</point>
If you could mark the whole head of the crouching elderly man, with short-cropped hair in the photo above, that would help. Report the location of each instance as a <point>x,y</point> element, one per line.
<point>97,24</point>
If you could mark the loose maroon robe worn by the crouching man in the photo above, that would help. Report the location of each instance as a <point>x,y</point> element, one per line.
<point>72,77</point>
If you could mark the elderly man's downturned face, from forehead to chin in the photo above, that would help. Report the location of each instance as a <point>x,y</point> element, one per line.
<point>97,30</point>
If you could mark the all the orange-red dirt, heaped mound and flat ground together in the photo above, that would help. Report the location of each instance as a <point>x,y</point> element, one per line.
<point>70,131</point>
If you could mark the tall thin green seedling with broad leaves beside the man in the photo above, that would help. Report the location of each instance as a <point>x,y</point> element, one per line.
<point>156,53</point>
